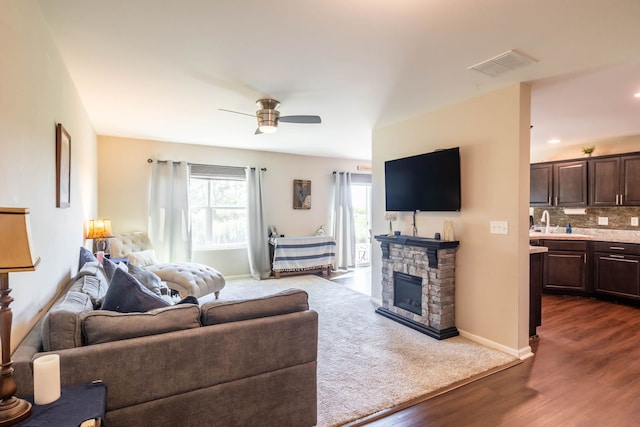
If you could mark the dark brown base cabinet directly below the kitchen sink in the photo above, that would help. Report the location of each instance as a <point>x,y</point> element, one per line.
<point>565,267</point>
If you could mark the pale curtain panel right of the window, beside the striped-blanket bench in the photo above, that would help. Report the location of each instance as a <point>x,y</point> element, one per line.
<point>258,248</point>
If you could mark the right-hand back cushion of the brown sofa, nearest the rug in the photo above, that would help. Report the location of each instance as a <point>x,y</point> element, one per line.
<point>288,301</point>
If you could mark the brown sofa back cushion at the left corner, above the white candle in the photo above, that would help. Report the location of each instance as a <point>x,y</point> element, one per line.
<point>62,325</point>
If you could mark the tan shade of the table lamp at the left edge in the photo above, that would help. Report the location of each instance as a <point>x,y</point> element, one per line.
<point>15,241</point>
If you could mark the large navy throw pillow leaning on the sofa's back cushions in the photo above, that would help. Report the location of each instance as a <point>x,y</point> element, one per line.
<point>127,295</point>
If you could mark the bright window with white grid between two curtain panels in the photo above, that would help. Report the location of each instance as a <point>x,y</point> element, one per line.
<point>218,206</point>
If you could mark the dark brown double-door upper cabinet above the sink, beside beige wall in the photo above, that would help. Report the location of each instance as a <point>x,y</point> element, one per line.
<point>559,184</point>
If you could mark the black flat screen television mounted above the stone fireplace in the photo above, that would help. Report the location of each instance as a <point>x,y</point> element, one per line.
<point>426,182</point>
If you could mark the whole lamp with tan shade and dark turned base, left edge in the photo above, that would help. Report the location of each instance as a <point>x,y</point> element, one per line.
<point>15,256</point>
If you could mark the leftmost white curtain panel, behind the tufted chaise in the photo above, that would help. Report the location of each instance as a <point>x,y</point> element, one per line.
<point>169,225</point>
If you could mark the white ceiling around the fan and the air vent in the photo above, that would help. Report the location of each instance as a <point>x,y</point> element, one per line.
<point>162,69</point>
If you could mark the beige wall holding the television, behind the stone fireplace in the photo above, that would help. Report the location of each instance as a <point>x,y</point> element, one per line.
<point>492,280</point>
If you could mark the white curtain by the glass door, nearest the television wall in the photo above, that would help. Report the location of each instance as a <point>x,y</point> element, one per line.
<point>343,223</point>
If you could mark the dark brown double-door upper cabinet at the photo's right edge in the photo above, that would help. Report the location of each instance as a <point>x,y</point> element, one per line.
<point>614,181</point>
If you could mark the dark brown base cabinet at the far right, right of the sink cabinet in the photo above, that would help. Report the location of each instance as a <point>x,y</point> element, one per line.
<point>617,269</point>
